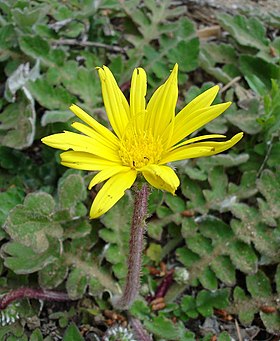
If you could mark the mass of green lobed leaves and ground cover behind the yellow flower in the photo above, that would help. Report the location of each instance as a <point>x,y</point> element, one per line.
<point>220,234</point>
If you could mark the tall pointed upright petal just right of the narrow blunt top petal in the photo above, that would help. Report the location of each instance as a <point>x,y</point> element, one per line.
<point>161,107</point>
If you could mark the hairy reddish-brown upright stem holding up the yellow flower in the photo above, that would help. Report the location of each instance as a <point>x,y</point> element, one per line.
<point>138,225</point>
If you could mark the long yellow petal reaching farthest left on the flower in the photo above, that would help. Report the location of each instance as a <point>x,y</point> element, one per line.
<point>80,143</point>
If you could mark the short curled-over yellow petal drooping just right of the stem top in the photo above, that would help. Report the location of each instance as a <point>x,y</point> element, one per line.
<point>161,177</point>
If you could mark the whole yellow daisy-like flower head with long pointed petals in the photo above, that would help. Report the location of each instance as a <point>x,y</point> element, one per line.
<point>145,139</point>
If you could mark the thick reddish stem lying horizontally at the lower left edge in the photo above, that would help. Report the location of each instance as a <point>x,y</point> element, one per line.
<point>39,294</point>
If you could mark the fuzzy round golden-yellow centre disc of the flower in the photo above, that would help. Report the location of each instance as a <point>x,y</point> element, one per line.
<point>137,151</point>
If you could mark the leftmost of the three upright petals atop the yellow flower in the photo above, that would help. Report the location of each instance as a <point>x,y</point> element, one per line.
<point>115,102</point>
